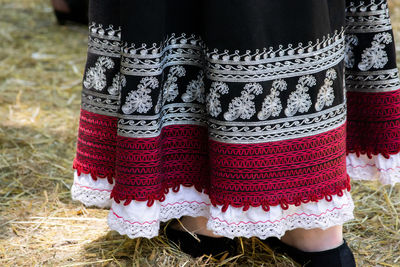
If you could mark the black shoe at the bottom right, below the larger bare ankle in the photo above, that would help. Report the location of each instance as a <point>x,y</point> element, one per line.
<point>336,257</point>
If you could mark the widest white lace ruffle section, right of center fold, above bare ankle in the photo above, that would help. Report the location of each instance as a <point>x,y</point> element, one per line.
<point>322,214</point>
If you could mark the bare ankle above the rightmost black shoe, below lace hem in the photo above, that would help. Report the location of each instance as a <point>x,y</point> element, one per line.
<point>314,239</point>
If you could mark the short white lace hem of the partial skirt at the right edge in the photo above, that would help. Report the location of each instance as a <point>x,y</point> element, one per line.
<point>387,171</point>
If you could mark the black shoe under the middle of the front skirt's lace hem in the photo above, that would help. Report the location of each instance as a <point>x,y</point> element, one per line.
<point>214,246</point>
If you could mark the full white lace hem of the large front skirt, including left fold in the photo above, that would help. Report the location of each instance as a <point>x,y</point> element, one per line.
<point>139,220</point>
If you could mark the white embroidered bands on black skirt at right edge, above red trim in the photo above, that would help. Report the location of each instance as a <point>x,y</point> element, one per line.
<point>365,17</point>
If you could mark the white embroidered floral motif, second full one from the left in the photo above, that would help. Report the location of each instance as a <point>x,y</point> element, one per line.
<point>140,100</point>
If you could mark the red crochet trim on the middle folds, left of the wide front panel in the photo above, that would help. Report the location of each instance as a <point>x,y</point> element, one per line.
<point>147,168</point>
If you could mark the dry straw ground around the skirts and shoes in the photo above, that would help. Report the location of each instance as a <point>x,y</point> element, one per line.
<point>41,68</point>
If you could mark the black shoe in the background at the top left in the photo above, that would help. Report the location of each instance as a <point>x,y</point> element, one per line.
<point>78,12</point>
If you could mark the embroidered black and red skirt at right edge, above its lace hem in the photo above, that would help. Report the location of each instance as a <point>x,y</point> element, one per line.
<point>372,81</point>
